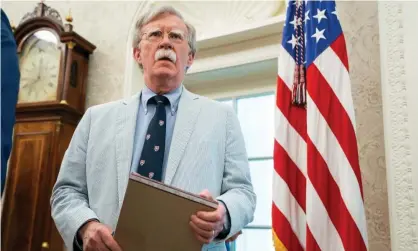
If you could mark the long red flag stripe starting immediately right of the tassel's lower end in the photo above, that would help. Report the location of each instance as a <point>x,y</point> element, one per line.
<point>338,120</point>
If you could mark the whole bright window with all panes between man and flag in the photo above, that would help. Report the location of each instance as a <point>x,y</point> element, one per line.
<point>256,116</point>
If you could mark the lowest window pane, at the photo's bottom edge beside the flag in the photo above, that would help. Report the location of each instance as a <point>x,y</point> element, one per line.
<point>255,239</point>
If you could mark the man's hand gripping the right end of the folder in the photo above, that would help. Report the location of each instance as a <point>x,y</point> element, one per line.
<point>207,225</point>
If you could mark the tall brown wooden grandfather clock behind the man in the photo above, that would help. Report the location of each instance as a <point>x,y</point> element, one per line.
<point>54,65</point>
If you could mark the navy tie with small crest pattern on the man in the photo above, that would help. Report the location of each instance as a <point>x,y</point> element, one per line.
<point>152,156</point>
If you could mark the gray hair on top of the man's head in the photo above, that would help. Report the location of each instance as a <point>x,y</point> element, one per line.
<point>152,14</point>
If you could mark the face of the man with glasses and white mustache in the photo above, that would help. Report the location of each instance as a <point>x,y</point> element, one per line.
<point>164,51</point>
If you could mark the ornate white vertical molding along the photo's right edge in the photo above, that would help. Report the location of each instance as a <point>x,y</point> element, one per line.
<point>401,191</point>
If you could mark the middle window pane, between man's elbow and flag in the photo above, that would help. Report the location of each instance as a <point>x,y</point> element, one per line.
<point>261,177</point>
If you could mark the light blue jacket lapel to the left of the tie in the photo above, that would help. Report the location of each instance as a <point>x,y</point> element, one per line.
<point>126,123</point>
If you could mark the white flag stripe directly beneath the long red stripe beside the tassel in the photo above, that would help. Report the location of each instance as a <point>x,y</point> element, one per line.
<point>337,165</point>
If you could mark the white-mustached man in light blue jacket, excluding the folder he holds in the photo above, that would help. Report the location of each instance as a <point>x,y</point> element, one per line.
<point>165,133</point>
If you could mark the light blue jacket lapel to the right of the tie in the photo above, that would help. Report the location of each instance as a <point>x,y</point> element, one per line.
<point>187,114</point>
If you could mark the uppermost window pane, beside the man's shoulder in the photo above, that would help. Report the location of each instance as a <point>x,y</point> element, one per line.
<point>256,116</point>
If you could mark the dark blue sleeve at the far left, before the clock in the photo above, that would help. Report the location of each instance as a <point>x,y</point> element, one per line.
<point>10,77</point>
